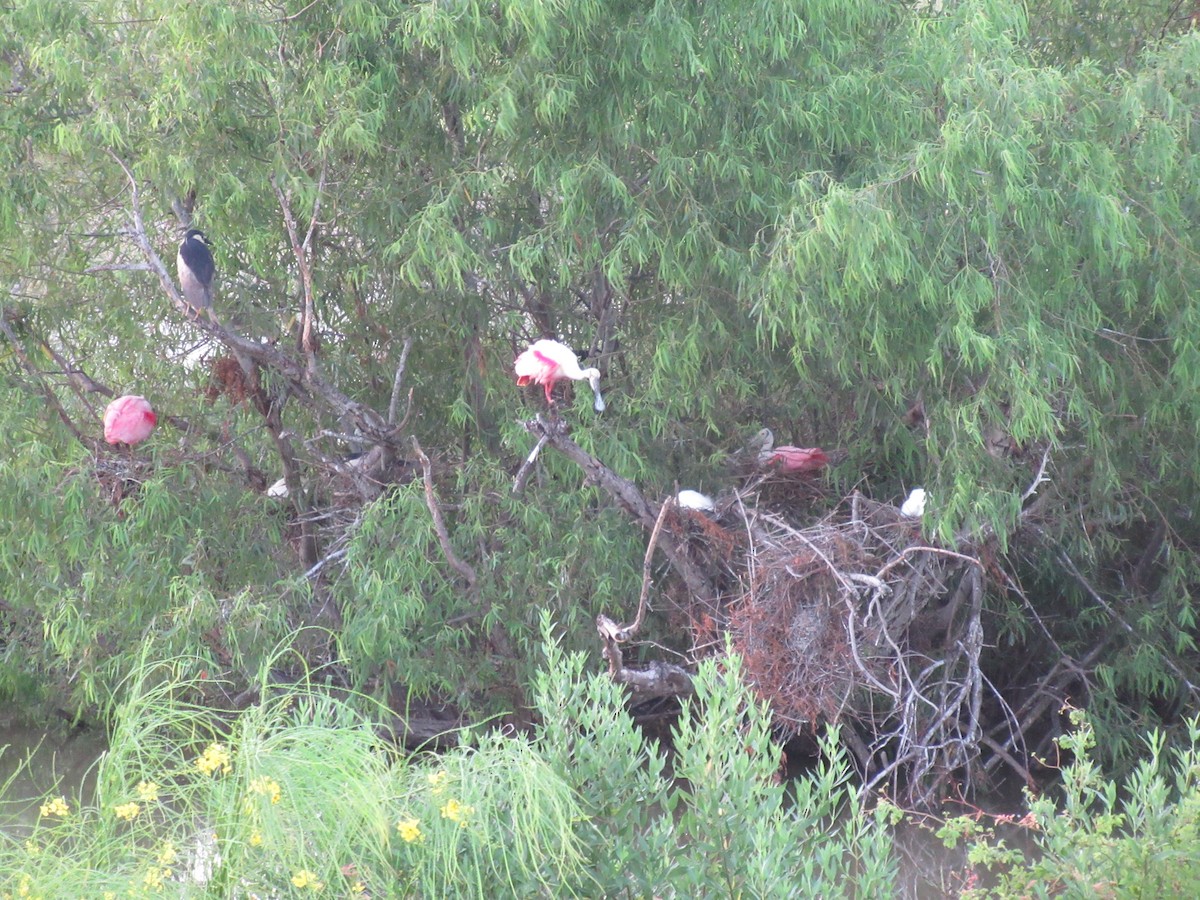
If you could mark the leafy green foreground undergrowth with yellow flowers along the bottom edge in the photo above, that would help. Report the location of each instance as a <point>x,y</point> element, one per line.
<point>298,796</point>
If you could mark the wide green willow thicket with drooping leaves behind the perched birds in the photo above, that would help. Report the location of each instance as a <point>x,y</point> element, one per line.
<point>921,238</point>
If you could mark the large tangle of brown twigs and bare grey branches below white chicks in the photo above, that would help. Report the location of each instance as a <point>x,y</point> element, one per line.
<point>856,620</point>
